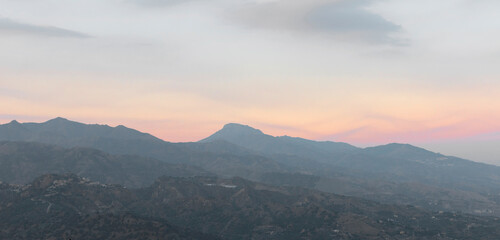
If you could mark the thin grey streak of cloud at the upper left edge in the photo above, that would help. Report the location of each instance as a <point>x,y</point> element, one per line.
<point>8,25</point>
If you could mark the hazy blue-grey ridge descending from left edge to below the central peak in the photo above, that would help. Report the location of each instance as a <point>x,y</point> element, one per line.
<point>122,140</point>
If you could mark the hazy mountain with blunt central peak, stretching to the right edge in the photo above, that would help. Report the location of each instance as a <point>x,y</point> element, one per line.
<point>392,173</point>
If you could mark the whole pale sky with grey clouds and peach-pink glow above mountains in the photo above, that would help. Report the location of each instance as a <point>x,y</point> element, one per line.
<point>366,72</point>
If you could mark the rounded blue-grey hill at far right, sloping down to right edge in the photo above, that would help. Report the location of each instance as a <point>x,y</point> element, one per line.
<point>407,163</point>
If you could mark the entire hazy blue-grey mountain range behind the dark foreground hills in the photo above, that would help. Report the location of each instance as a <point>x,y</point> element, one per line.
<point>394,173</point>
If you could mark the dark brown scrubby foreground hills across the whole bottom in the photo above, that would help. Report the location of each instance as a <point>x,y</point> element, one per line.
<point>65,206</point>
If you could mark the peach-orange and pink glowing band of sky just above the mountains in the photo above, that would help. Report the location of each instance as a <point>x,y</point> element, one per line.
<point>366,116</point>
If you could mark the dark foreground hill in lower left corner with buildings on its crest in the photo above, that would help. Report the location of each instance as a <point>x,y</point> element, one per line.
<point>68,207</point>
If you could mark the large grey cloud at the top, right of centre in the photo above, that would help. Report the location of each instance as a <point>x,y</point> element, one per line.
<point>343,18</point>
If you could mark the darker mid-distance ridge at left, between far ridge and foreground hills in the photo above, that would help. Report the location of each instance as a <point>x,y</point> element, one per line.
<point>22,162</point>
